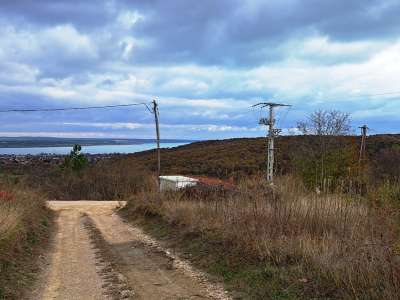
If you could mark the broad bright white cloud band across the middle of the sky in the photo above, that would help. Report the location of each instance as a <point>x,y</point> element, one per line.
<point>290,81</point>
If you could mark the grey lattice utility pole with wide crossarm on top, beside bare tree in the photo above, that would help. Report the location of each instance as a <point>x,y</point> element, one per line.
<point>272,133</point>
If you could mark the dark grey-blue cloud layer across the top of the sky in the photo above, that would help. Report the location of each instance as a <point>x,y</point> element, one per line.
<point>233,33</point>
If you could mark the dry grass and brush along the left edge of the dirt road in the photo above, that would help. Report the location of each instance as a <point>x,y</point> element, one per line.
<point>24,225</point>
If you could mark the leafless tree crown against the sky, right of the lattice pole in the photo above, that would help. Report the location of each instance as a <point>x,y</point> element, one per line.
<point>326,122</point>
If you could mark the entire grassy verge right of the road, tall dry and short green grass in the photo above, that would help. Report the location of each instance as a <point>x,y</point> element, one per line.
<point>281,243</point>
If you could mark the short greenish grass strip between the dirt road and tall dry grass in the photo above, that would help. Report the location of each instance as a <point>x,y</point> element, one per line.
<point>243,277</point>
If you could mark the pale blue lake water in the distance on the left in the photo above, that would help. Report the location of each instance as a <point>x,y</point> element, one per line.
<point>101,149</point>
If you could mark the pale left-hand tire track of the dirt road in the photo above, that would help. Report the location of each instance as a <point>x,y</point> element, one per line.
<point>71,268</point>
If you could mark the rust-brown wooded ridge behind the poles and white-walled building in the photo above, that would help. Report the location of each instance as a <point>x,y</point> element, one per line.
<point>230,157</point>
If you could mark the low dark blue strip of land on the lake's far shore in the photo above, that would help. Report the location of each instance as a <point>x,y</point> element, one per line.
<point>28,142</point>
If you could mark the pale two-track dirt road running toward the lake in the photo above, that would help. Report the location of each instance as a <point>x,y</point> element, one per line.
<point>96,255</point>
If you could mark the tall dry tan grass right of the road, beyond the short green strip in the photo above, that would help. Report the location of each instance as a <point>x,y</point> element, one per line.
<point>340,244</point>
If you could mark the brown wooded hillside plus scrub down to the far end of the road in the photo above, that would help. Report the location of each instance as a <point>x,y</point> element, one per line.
<point>336,165</point>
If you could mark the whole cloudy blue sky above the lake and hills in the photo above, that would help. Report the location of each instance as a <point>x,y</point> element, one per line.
<point>206,62</point>
